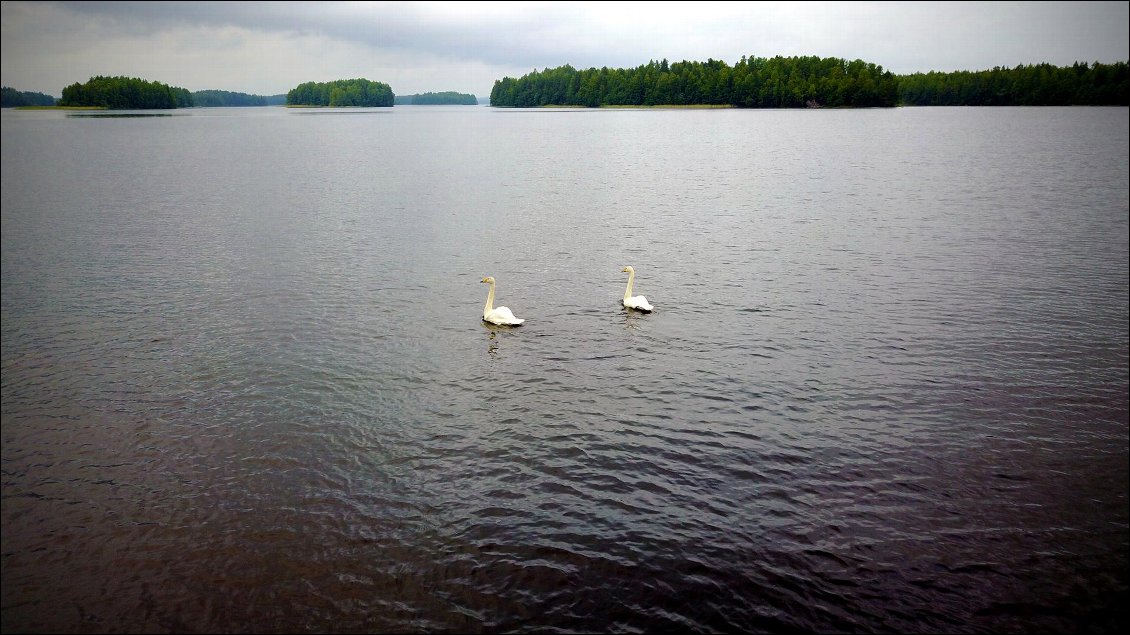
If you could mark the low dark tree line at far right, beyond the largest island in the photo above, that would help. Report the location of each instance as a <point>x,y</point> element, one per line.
<point>1038,85</point>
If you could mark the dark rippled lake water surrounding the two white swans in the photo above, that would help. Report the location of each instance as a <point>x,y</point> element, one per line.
<point>247,387</point>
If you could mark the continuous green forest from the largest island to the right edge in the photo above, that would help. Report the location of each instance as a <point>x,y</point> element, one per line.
<point>810,82</point>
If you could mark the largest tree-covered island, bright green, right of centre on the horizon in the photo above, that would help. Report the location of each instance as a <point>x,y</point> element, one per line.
<point>753,83</point>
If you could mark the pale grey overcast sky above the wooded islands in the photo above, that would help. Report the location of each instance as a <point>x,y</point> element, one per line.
<point>270,48</point>
